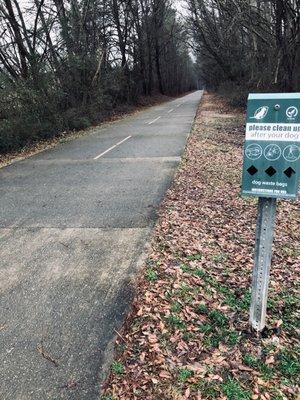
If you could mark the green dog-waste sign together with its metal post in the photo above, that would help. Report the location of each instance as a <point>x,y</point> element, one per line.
<point>271,171</point>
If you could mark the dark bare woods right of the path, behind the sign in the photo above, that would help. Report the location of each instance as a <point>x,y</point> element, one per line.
<point>247,45</point>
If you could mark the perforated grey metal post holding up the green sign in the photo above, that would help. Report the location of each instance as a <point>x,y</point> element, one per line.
<point>262,262</point>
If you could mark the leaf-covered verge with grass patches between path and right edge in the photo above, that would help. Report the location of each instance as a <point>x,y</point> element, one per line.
<point>188,334</point>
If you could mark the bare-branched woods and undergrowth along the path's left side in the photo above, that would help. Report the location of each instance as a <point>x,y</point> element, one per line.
<point>65,64</point>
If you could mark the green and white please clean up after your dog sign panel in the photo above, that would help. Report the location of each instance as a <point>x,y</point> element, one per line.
<point>272,146</point>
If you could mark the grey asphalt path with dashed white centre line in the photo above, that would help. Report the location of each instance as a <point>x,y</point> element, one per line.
<point>75,223</point>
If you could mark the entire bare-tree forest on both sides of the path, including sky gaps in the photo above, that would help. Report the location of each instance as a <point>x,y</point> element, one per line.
<point>67,64</point>
